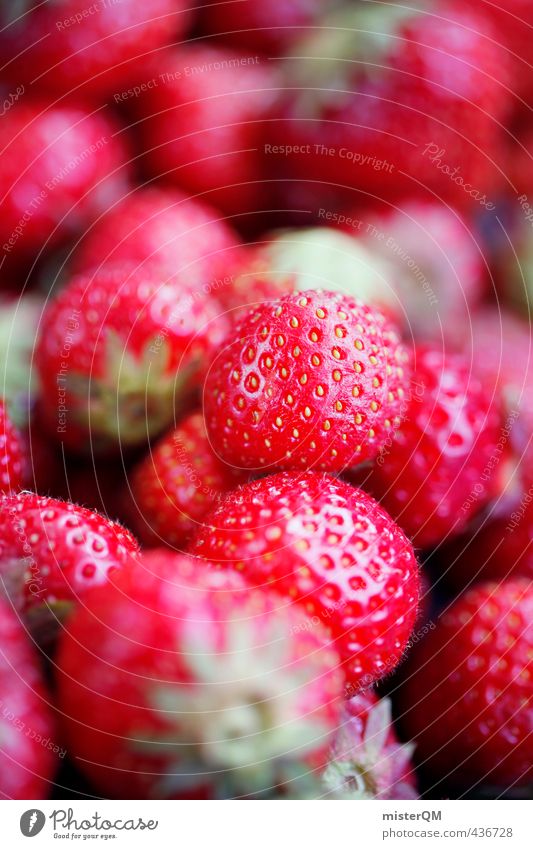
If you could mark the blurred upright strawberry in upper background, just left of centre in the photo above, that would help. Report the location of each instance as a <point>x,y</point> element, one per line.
<point>203,123</point>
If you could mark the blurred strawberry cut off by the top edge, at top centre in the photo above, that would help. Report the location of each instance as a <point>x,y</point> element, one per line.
<point>248,23</point>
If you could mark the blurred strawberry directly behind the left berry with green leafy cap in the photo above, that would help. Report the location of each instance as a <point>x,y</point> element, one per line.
<point>164,226</point>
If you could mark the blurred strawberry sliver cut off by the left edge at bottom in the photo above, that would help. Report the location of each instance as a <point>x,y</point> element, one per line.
<point>27,759</point>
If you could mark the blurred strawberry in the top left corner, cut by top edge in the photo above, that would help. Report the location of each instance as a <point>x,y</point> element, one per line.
<point>70,44</point>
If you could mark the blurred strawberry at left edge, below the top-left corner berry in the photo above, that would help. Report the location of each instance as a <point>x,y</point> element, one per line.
<point>60,167</point>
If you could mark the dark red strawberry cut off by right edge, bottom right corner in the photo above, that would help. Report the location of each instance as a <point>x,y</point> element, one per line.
<point>468,693</point>
